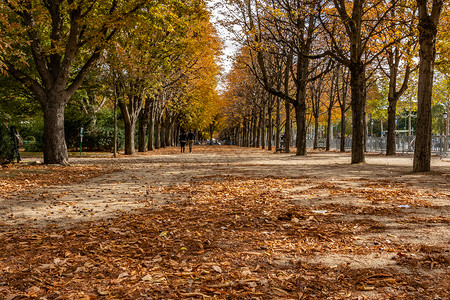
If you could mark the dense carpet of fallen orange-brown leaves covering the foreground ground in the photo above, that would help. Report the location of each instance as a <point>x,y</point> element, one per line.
<point>219,238</point>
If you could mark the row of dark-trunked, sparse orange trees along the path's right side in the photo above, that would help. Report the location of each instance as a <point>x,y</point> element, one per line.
<point>323,56</point>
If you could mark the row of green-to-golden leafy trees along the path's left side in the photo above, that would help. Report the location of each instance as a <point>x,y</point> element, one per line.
<point>153,59</point>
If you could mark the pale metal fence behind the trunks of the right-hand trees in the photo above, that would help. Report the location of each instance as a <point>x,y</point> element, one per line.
<point>404,144</point>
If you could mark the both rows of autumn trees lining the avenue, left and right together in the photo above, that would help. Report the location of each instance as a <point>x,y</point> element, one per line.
<point>157,62</point>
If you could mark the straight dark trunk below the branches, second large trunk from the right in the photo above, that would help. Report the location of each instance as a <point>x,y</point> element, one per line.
<point>357,84</point>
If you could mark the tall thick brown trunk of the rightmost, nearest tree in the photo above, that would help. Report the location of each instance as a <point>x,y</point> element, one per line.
<point>427,40</point>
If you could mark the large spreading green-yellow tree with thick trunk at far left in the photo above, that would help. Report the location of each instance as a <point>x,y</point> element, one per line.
<point>62,40</point>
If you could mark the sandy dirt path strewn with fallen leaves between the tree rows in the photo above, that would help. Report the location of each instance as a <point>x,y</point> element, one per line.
<point>372,226</point>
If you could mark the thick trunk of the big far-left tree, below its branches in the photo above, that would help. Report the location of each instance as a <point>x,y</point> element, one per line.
<point>55,148</point>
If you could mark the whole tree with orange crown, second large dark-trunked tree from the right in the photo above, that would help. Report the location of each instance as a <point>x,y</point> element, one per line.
<point>353,28</point>
